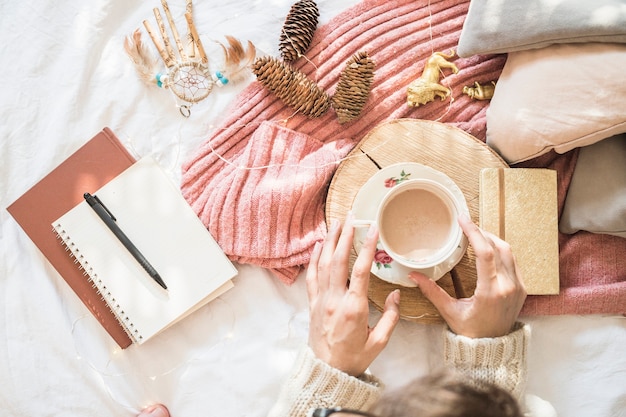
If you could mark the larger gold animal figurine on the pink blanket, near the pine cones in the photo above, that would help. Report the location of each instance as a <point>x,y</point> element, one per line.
<point>427,87</point>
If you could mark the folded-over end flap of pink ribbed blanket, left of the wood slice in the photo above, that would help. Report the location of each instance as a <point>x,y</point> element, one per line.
<point>251,210</point>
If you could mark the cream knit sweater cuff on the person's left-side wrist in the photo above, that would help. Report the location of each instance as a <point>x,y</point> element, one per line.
<point>313,384</point>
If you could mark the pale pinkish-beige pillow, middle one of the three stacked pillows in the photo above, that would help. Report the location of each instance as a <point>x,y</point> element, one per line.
<point>558,97</point>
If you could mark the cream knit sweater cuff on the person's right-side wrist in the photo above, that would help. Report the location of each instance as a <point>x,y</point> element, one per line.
<point>499,360</point>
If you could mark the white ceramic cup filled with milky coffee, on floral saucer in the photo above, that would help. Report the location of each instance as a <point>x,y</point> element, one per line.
<point>417,223</point>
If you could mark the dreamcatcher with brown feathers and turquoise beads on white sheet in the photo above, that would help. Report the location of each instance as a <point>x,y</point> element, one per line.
<point>187,74</point>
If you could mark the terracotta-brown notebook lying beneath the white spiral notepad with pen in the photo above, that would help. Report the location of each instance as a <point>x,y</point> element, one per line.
<point>93,165</point>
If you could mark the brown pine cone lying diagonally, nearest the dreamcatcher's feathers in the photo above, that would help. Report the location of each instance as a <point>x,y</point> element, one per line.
<point>293,87</point>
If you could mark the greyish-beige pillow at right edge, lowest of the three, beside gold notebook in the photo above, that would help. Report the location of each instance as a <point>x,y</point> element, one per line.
<point>596,197</point>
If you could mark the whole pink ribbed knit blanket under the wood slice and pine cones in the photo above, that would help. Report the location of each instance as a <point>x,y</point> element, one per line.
<point>273,216</point>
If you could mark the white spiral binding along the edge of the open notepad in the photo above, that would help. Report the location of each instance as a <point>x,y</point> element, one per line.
<point>97,284</point>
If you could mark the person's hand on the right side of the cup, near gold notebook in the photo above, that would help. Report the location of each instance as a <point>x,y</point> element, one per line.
<point>493,309</point>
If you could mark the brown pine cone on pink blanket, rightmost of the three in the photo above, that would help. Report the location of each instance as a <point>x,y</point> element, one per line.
<point>353,88</point>
